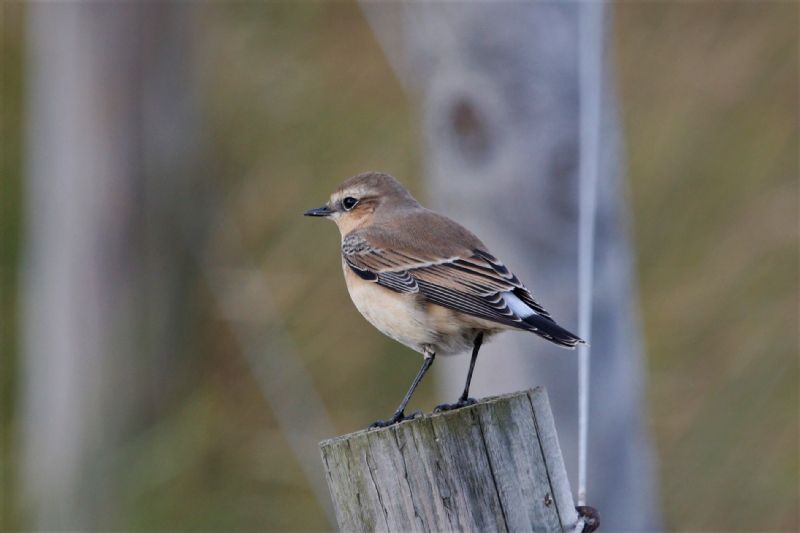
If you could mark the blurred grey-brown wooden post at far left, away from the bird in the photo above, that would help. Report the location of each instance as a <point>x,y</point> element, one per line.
<point>109,131</point>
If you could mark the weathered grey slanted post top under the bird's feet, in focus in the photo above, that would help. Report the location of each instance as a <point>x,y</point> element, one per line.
<point>493,466</point>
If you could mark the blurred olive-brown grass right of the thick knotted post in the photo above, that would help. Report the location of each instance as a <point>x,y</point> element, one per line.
<point>709,96</point>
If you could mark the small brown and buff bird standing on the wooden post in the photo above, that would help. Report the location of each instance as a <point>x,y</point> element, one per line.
<point>425,280</point>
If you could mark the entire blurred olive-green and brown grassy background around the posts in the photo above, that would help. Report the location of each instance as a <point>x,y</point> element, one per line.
<point>298,96</point>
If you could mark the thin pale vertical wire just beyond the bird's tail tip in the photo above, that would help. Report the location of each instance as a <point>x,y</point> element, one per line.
<point>590,79</point>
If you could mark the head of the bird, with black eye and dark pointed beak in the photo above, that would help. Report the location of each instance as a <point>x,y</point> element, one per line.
<point>361,199</point>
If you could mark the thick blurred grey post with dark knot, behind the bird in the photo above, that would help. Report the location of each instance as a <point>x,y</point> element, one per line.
<point>498,85</point>
